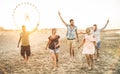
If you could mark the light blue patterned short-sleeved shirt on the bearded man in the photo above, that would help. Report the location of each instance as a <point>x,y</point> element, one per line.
<point>71,33</point>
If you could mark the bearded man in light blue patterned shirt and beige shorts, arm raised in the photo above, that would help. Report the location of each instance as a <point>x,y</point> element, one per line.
<point>71,35</point>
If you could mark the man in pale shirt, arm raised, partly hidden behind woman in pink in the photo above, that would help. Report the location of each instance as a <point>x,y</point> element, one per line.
<point>96,33</point>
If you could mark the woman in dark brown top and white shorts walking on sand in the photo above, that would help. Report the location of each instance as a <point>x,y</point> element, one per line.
<point>54,45</point>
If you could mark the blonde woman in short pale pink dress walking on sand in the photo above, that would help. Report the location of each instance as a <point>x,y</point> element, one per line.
<point>88,44</point>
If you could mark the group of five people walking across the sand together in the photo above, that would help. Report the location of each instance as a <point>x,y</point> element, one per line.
<point>90,43</point>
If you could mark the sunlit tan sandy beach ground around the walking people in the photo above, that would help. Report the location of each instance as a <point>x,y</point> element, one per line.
<point>11,61</point>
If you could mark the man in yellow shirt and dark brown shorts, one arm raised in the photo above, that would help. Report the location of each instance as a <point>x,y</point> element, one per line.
<point>25,45</point>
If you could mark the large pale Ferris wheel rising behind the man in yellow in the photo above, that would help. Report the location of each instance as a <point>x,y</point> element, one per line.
<point>26,14</point>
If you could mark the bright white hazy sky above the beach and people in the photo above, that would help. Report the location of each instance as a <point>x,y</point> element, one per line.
<point>84,12</point>
